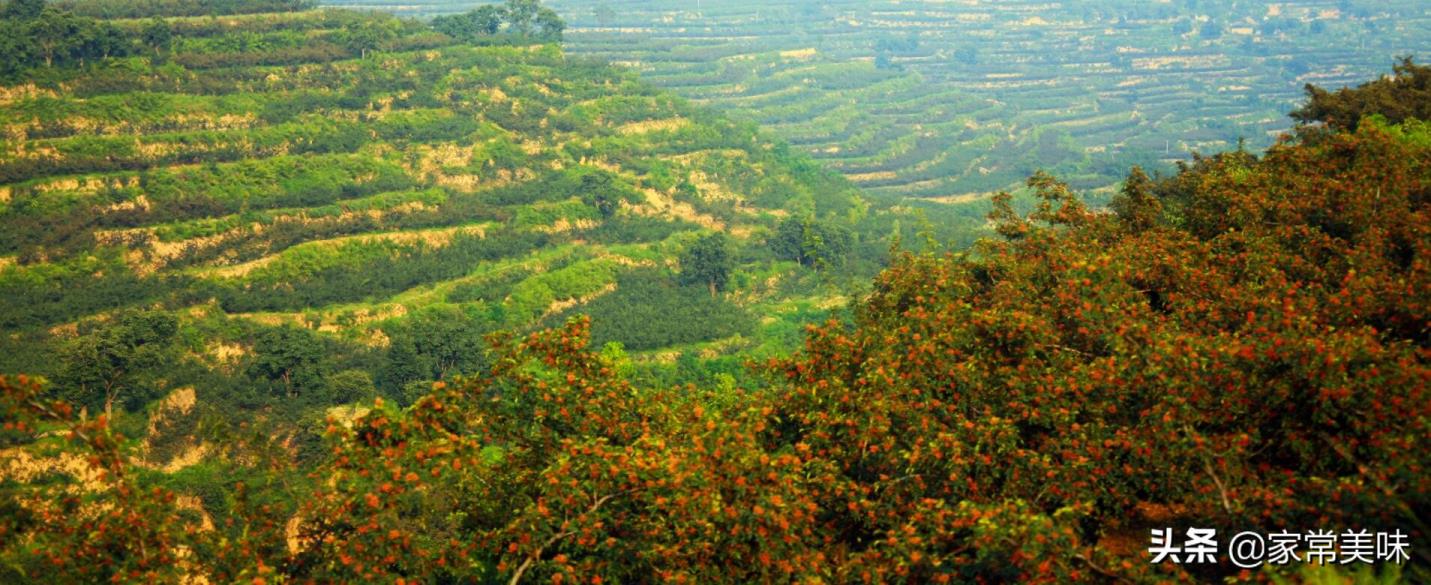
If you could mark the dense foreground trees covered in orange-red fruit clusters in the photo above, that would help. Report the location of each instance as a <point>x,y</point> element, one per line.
<point>1241,345</point>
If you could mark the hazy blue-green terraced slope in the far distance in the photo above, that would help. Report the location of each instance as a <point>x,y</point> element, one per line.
<point>947,99</point>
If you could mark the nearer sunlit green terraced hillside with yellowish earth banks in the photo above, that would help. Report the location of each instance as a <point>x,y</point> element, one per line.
<point>321,192</point>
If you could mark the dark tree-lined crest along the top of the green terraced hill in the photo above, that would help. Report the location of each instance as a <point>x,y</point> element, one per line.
<point>38,36</point>
